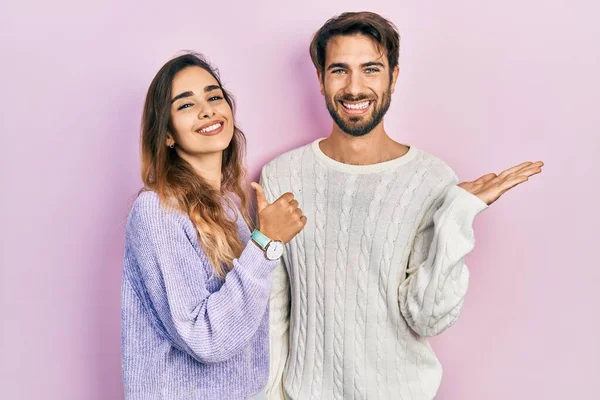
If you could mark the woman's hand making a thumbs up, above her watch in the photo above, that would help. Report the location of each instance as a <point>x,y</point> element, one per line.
<point>281,220</point>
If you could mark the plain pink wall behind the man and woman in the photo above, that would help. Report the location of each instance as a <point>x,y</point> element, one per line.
<point>481,86</point>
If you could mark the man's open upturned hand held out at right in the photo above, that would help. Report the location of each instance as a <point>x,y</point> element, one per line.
<point>490,187</point>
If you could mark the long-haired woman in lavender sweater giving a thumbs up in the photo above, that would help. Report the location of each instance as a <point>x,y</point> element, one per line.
<point>196,283</point>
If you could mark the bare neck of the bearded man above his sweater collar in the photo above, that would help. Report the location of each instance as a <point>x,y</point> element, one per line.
<point>373,148</point>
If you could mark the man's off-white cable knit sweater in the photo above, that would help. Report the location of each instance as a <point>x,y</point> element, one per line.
<point>378,268</point>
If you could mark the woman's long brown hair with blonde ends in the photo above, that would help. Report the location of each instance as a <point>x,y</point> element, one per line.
<point>176,182</point>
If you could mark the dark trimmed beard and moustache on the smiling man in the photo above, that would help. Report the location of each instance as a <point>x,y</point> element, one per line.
<point>352,125</point>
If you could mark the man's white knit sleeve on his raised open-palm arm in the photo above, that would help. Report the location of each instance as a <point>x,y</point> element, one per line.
<point>432,295</point>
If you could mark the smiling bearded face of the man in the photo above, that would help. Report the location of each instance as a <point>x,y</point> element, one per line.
<point>356,83</point>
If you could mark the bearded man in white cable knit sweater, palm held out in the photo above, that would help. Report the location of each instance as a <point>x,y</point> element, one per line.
<point>379,266</point>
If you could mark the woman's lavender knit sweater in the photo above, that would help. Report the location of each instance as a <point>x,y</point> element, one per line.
<point>186,333</point>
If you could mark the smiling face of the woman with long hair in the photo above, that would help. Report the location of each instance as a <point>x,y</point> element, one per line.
<point>202,120</point>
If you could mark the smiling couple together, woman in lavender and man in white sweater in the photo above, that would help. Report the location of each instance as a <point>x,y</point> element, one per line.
<point>356,258</point>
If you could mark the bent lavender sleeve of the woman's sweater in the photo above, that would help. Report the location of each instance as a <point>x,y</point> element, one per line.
<point>211,327</point>
